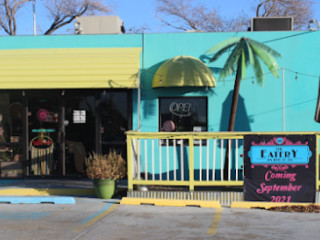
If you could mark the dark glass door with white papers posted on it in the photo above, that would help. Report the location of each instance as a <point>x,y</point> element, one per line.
<point>80,128</point>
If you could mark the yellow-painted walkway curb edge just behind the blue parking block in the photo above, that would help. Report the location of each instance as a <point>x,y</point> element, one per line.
<point>46,192</point>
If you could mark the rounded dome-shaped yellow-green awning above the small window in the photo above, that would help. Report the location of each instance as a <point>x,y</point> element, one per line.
<point>183,71</point>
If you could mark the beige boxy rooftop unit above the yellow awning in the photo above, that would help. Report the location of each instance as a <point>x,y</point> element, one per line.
<point>98,25</point>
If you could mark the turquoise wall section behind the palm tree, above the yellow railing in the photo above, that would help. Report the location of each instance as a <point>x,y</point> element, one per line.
<point>260,107</point>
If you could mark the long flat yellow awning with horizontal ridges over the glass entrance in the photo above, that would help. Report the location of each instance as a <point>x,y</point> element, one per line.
<point>69,68</point>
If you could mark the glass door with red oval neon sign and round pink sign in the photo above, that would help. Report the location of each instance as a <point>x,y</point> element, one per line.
<point>43,119</point>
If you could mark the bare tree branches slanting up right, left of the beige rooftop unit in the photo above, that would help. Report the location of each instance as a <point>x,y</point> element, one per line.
<point>63,12</point>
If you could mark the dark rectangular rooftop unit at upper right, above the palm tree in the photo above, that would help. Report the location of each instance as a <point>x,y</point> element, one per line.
<point>272,24</point>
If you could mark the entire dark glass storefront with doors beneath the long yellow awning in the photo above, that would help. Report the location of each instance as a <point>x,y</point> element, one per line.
<point>50,132</point>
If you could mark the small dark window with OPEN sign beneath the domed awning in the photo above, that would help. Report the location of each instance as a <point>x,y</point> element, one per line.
<point>183,114</point>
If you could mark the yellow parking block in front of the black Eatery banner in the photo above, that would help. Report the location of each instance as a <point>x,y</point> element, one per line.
<point>266,205</point>
